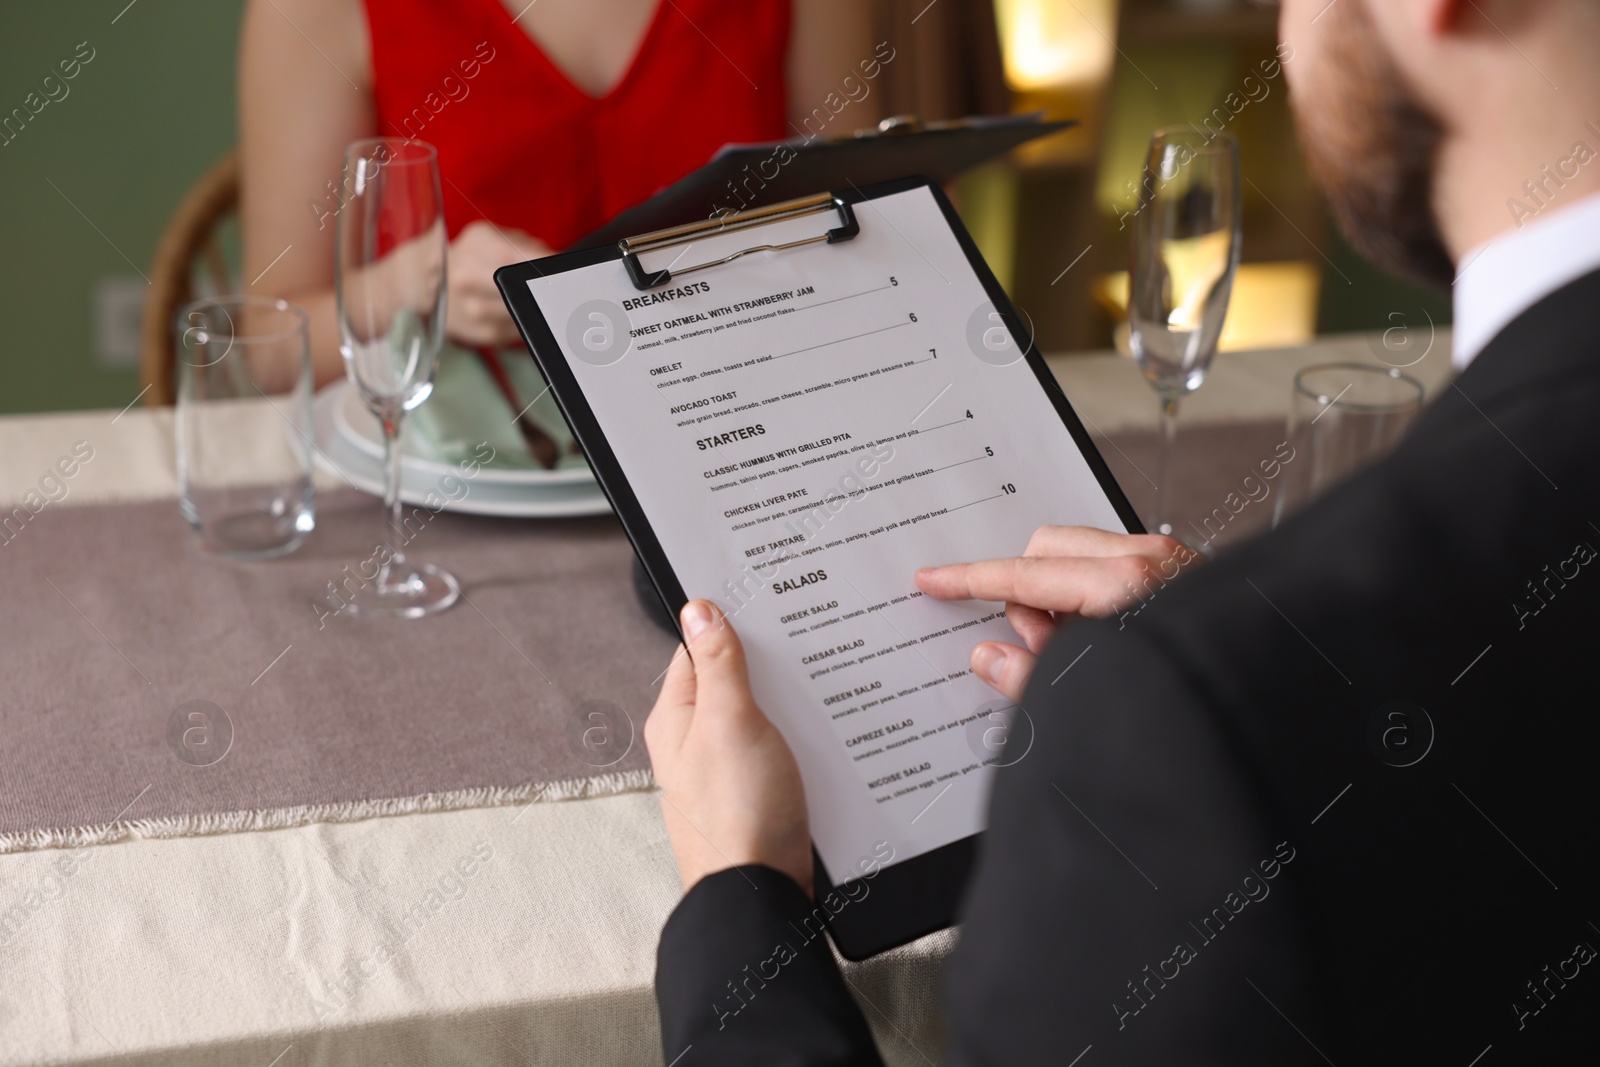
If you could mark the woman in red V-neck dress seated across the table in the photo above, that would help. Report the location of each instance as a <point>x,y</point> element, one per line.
<point>550,118</point>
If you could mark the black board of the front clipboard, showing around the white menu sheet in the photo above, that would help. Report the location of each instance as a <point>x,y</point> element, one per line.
<point>910,898</point>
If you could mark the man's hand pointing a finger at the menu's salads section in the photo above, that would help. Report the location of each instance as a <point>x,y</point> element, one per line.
<point>1066,573</point>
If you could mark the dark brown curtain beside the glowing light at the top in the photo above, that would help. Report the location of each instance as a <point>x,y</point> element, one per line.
<point>946,58</point>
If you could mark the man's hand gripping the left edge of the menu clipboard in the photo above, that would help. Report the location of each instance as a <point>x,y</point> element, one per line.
<point>730,788</point>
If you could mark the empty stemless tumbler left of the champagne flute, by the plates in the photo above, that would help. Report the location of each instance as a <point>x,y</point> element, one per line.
<point>244,425</point>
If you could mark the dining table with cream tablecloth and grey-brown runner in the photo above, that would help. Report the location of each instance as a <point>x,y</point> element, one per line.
<point>239,828</point>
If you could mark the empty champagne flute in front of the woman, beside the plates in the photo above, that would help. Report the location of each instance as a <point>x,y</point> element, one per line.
<point>390,271</point>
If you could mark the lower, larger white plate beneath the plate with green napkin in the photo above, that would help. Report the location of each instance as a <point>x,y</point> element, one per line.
<point>364,471</point>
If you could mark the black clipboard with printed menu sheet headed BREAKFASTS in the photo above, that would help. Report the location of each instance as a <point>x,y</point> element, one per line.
<point>911,893</point>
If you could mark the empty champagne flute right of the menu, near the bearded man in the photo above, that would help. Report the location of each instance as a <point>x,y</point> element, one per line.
<point>1185,258</point>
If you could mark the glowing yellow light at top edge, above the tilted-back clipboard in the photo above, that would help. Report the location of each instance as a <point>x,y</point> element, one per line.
<point>1052,44</point>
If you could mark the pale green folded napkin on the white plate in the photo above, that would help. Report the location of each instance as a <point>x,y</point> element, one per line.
<point>468,410</point>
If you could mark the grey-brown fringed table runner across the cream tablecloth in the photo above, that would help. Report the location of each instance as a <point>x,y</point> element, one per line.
<point>119,633</point>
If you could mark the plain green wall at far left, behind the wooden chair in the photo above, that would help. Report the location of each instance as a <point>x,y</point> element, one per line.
<point>137,127</point>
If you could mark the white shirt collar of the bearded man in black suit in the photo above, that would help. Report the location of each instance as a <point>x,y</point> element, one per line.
<point>1505,278</point>
